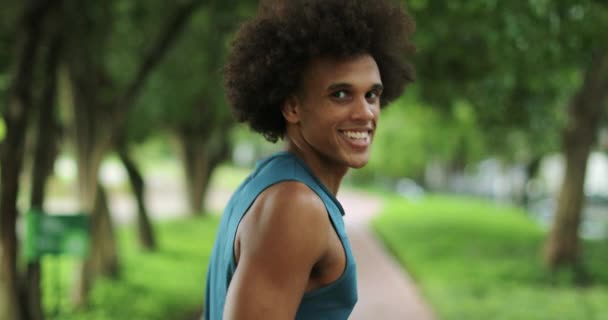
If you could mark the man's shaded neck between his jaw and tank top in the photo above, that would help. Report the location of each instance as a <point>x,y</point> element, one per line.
<point>329,173</point>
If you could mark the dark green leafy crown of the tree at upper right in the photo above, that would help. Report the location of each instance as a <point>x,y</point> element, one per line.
<point>517,63</point>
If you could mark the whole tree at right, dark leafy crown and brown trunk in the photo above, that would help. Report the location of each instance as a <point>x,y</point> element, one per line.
<point>490,54</point>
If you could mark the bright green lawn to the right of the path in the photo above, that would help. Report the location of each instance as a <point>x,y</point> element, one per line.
<point>477,260</point>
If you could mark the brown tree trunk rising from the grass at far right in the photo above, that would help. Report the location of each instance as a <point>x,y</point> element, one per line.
<point>562,248</point>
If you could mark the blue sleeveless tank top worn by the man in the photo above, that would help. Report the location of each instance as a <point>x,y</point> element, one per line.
<point>334,301</point>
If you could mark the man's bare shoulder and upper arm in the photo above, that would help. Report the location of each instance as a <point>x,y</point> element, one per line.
<point>281,238</point>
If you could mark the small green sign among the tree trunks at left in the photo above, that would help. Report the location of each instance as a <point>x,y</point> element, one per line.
<point>56,234</point>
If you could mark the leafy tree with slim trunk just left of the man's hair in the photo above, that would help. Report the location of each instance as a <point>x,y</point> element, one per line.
<point>194,109</point>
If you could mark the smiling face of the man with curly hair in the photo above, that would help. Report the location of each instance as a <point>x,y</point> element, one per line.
<point>332,119</point>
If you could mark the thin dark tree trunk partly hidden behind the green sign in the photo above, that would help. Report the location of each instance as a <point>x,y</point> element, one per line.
<point>44,157</point>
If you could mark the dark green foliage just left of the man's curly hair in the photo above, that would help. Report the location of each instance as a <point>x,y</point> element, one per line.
<point>187,89</point>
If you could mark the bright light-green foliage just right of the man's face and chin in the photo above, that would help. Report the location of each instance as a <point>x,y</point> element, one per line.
<point>410,135</point>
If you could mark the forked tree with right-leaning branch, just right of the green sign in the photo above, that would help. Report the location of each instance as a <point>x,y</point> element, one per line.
<point>101,105</point>
